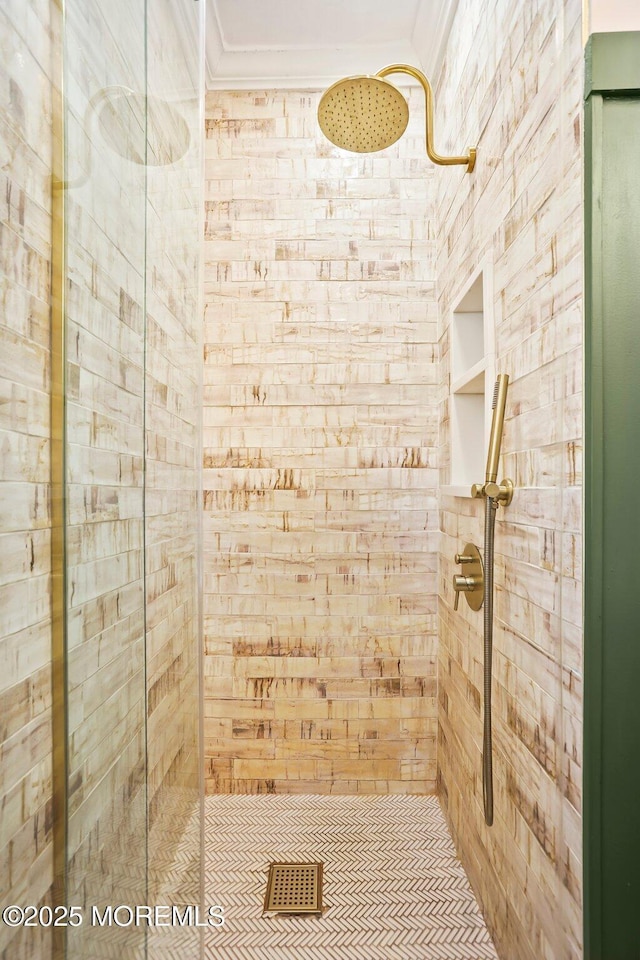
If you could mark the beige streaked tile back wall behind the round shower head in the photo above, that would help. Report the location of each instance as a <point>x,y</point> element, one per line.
<point>321,425</point>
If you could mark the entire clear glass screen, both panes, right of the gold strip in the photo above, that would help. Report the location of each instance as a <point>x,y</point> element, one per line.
<point>133,177</point>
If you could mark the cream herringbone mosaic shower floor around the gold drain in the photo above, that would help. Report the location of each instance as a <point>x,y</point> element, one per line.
<point>393,886</point>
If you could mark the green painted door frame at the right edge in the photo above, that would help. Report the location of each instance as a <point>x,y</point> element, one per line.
<point>612,502</point>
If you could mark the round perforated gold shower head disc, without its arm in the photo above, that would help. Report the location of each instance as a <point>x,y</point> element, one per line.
<point>363,114</point>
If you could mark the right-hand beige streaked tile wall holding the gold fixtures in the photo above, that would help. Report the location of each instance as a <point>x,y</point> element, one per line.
<point>512,79</point>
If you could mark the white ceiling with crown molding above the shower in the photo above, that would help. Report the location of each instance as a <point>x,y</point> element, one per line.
<point>309,43</point>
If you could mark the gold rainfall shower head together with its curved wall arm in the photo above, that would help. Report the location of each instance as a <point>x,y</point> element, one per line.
<point>366,113</point>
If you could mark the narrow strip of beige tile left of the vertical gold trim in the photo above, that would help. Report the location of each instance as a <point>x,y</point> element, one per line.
<point>26,866</point>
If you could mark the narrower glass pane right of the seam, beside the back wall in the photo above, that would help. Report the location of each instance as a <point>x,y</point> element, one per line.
<point>173,460</point>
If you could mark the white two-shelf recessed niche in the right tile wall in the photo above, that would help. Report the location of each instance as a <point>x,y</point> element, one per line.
<point>472,378</point>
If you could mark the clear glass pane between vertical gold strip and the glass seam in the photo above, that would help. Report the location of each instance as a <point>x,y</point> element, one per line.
<point>105,339</point>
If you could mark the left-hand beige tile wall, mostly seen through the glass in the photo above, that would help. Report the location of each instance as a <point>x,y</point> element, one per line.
<point>108,387</point>
